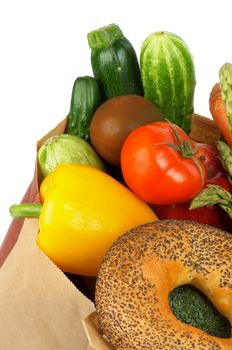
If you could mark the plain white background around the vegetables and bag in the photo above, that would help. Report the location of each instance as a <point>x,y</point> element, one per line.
<point>43,48</point>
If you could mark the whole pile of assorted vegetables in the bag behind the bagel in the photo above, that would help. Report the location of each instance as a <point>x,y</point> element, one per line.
<point>127,157</point>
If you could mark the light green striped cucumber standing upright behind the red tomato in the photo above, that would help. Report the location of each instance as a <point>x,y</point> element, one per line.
<point>168,76</point>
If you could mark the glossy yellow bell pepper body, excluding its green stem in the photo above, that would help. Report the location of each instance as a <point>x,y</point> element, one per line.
<point>84,211</point>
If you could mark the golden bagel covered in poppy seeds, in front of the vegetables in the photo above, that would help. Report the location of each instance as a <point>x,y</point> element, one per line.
<point>140,270</point>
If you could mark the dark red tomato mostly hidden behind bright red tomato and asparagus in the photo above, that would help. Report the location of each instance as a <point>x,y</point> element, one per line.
<point>211,215</point>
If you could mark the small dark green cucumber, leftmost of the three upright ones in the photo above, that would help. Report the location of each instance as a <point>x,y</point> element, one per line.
<point>84,102</point>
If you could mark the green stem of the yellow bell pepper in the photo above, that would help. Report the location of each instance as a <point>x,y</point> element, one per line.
<point>31,210</point>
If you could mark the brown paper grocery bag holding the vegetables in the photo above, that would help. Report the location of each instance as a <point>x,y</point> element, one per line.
<point>40,308</point>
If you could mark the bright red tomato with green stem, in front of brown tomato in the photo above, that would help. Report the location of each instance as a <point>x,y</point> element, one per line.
<point>157,172</point>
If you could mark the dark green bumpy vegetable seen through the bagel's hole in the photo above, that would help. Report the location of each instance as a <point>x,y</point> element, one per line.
<point>191,306</point>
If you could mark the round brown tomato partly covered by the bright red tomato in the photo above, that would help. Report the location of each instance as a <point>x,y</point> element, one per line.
<point>115,119</point>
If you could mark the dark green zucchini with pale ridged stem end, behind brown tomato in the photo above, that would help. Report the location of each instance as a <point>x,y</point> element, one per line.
<point>114,63</point>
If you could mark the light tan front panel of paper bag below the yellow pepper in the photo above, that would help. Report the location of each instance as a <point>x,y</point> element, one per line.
<point>42,310</point>
